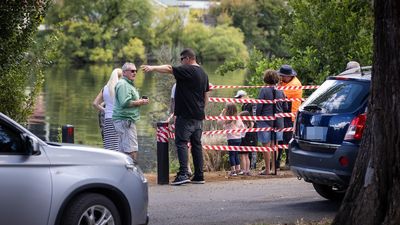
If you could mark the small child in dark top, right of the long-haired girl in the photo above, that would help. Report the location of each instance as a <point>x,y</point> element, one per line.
<point>250,139</point>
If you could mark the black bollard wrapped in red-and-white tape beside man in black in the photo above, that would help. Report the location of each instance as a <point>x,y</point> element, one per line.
<point>162,153</point>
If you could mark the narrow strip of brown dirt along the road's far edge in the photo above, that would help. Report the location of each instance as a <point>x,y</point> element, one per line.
<point>223,176</point>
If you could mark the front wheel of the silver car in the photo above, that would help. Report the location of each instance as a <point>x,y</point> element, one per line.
<point>88,209</point>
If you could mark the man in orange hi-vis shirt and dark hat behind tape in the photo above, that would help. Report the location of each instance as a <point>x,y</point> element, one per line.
<point>288,78</point>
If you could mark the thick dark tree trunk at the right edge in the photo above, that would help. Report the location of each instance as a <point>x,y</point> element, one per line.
<point>374,193</point>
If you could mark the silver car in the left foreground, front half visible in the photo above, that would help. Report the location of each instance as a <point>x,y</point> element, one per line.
<point>47,183</point>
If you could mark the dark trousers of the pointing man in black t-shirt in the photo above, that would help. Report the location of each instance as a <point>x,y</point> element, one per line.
<point>189,130</point>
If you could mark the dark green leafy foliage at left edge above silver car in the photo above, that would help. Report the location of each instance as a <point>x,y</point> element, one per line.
<point>20,65</point>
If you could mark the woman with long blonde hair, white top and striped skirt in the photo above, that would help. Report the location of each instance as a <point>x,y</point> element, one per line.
<point>104,102</point>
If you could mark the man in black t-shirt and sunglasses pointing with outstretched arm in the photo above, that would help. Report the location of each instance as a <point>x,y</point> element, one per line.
<point>191,97</point>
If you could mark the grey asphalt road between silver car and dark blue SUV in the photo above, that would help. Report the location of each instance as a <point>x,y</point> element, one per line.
<point>272,201</point>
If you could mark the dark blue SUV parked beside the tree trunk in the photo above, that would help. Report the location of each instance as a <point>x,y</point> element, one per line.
<point>328,131</point>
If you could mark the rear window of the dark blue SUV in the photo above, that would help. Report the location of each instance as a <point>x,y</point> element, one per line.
<point>338,96</point>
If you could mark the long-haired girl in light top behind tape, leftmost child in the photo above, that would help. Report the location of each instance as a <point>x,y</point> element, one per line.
<point>234,139</point>
